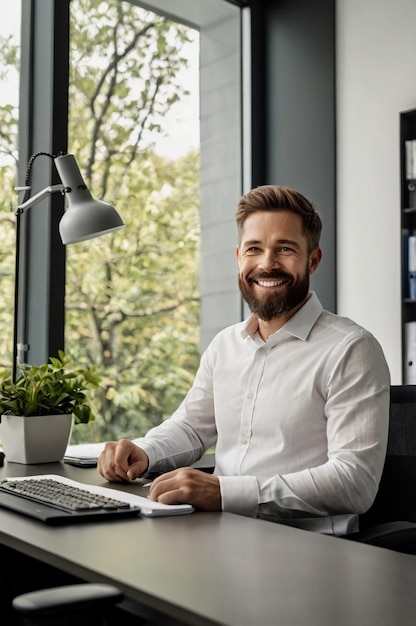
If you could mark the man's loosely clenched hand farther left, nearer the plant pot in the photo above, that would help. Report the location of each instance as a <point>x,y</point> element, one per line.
<point>122,461</point>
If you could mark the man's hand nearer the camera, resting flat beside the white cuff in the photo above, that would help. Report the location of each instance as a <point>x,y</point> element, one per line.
<point>187,486</point>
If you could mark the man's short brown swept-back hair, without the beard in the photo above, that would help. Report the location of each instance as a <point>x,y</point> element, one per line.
<point>279,198</point>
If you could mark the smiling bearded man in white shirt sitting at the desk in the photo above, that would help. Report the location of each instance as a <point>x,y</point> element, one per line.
<point>296,398</point>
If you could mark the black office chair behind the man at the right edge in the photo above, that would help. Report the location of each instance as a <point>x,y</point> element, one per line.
<point>391,520</point>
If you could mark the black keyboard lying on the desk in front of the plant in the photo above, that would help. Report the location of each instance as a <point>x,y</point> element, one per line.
<point>54,502</point>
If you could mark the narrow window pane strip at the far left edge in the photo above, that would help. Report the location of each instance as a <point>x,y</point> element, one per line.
<point>9,114</point>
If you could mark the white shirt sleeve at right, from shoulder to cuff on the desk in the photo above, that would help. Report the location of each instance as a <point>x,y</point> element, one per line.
<point>357,414</point>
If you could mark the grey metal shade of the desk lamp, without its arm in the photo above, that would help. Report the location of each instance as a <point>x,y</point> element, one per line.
<point>85,217</point>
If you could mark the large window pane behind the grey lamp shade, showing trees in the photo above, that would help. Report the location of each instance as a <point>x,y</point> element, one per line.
<point>132,301</point>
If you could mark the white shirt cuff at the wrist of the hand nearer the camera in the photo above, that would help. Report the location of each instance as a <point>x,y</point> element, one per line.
<point>239,494</point>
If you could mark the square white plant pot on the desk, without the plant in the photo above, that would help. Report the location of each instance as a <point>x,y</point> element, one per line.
<point>35,439</point>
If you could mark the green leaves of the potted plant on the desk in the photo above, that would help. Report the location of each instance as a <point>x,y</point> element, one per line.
<point>53,388</point>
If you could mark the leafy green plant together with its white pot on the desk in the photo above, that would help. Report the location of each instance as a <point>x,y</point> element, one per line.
<point>38,410</point>
